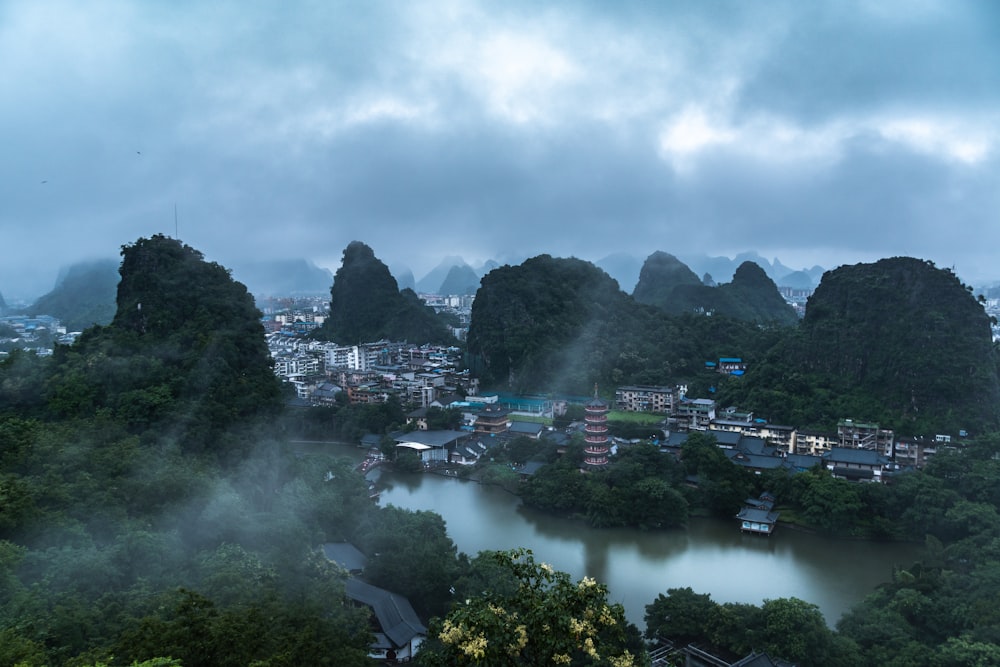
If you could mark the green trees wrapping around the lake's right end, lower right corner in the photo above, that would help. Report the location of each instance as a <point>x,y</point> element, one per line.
<point>939,611</point>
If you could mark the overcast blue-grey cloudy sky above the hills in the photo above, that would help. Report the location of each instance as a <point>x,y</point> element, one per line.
<point>815,132</point>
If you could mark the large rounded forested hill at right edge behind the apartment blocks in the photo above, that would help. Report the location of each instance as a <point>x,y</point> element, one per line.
<point>898,341</point>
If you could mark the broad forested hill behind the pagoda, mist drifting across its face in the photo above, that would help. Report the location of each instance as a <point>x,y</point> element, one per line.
<point>554,324</point>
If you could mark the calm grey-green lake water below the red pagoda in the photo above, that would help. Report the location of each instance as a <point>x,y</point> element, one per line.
<point>710,556</point>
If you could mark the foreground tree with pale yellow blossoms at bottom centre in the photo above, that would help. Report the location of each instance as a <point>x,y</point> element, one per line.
<point>548,620</point>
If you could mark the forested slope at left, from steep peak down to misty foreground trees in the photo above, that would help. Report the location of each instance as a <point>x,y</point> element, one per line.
<point>150,506</point>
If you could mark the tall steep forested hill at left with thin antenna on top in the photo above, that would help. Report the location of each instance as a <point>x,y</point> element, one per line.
<point>185,350</point>
